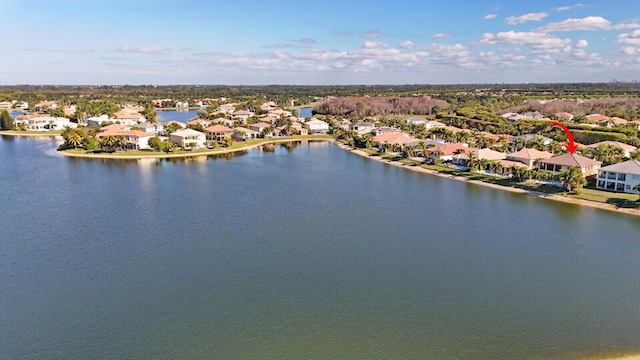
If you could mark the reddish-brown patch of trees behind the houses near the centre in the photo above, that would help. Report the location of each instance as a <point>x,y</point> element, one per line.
<point>381,105</point>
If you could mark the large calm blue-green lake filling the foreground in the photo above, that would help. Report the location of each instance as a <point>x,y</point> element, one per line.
<point>300,253</point>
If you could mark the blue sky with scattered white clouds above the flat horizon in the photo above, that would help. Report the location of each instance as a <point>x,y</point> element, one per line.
<point>328,42</point>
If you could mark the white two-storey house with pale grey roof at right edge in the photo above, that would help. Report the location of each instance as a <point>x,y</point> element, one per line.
<point>621,177</point>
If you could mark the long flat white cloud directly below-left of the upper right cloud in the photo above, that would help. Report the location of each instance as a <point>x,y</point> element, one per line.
<point>537,41</point>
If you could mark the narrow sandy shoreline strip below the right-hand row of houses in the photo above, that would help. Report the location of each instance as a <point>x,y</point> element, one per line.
<point>538,194</point>
